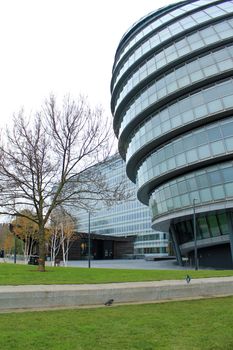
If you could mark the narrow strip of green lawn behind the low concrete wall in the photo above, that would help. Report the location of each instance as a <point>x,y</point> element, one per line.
<point>16,274</point>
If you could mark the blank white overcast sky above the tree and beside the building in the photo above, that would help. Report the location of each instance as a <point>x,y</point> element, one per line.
<point>61,47</point>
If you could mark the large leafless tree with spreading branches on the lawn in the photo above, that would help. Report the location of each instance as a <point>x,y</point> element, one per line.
<point>46,160</point>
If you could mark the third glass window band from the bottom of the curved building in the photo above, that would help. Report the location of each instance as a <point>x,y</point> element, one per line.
<point>203,104</point>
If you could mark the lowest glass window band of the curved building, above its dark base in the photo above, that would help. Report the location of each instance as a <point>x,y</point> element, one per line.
<point>208,185</point>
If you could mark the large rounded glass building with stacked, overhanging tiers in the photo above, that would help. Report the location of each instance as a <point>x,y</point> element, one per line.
<point>172,102</point>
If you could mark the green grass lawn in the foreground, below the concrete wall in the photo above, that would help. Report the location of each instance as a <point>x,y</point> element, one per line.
<point>184,325</point>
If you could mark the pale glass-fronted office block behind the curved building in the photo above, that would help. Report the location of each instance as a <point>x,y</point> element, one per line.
<point>125,219</point>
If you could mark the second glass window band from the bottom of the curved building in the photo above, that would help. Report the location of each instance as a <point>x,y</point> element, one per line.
<point>186,150</point>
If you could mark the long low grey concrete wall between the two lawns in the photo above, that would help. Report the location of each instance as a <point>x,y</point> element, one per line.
<point>40,297</point>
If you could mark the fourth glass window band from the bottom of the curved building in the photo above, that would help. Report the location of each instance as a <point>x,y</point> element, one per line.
<point>219,62</point>
